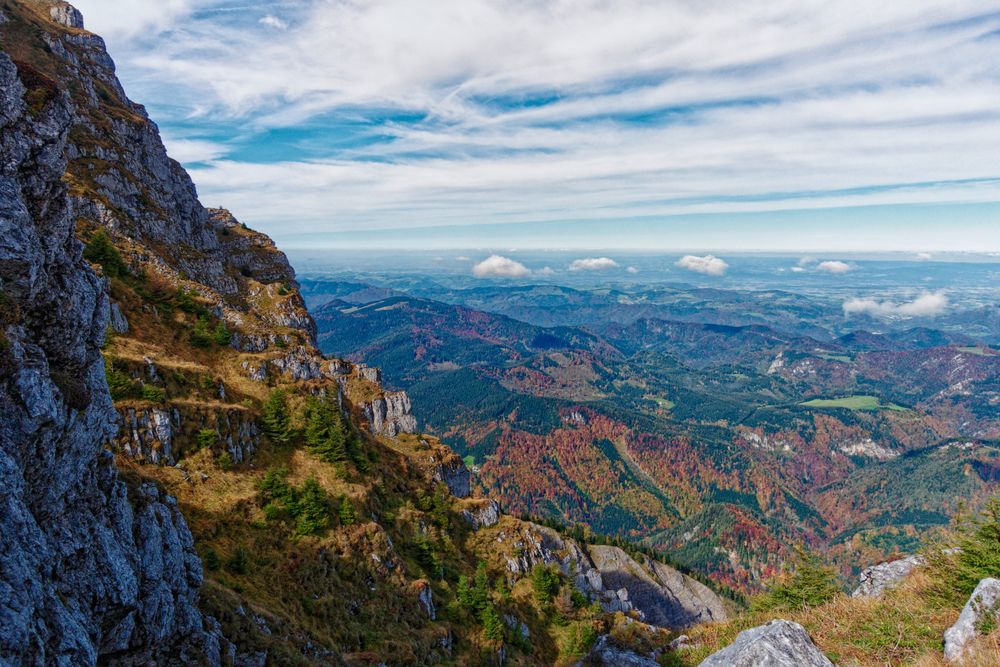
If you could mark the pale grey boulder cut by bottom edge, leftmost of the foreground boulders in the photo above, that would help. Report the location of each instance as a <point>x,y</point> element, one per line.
<point>779,643</point>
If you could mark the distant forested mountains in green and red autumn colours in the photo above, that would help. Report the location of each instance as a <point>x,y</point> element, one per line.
<point>692,419</point>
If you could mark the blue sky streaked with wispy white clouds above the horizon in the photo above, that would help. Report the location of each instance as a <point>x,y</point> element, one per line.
<point>709,125</point>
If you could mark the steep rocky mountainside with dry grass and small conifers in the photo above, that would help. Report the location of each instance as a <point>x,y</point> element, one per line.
<point>185,479</point>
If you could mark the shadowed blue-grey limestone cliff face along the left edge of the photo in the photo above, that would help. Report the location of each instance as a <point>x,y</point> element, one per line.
<point>90,569</point>
